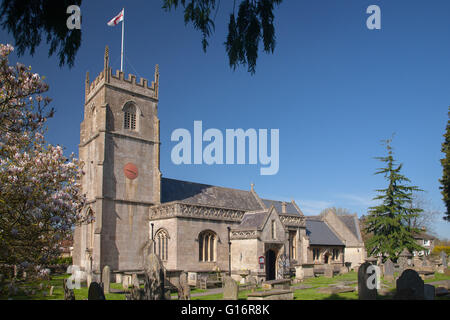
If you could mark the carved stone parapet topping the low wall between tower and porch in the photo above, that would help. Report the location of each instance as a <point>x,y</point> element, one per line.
<point>180,209</point>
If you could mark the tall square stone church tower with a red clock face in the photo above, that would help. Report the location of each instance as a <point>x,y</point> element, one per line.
<point>119,145</point>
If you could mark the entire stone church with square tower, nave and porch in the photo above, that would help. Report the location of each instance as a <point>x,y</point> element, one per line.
<point>195,227</point>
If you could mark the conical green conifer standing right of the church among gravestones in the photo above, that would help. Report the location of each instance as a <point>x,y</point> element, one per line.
<point>389,223</point>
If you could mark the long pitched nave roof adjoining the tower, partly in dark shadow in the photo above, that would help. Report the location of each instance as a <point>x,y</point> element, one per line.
<point>203,194</point>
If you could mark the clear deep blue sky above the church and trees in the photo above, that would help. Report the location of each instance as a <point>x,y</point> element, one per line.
<point>333,88</point>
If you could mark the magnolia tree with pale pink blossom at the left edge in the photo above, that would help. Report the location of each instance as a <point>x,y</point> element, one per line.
<point>40,193</point>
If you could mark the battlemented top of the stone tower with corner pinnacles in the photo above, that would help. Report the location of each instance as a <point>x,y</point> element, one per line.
<point>118,80</point>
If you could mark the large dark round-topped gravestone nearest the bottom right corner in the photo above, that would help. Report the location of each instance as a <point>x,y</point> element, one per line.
<point>410,286</point>
